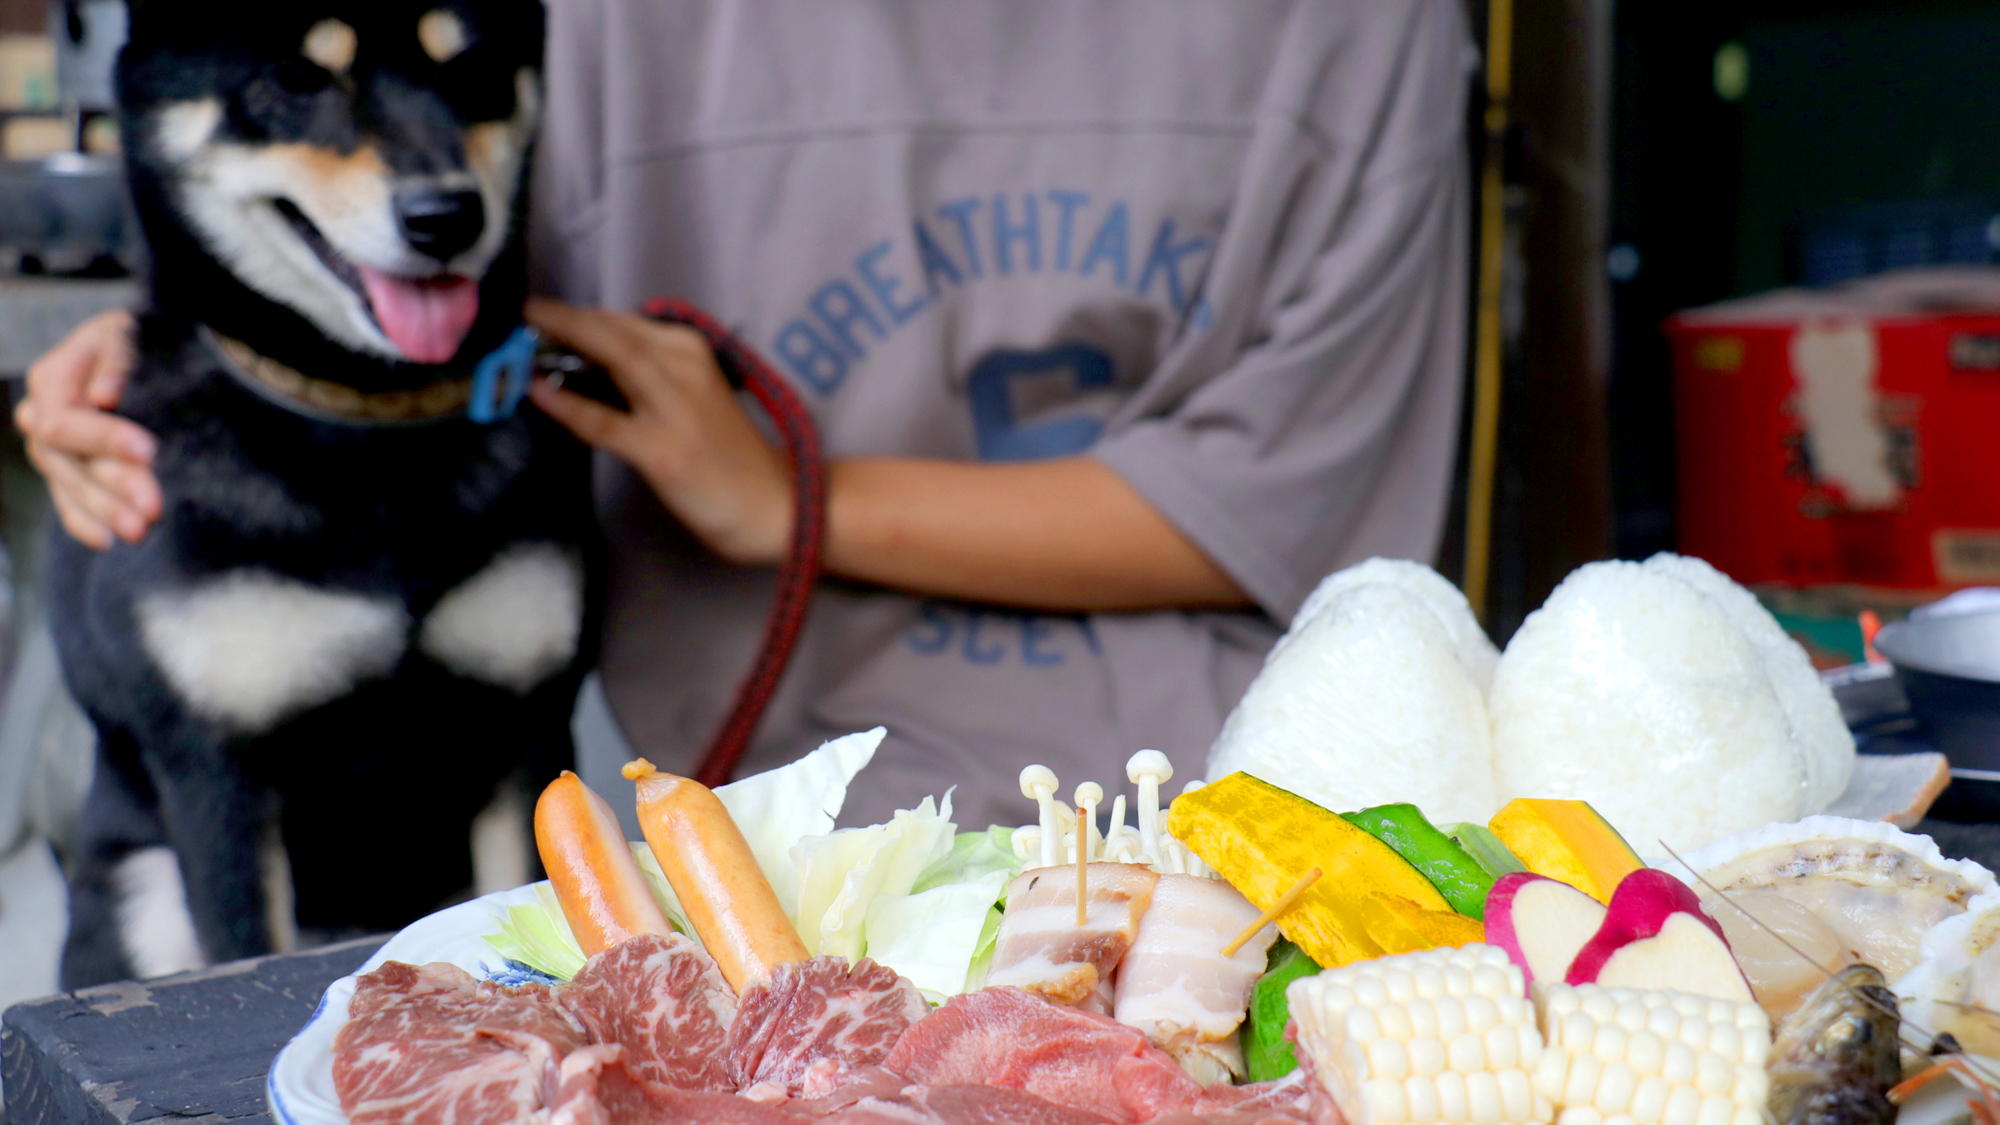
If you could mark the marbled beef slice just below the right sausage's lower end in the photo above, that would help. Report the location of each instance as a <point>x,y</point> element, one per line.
<point>815,1024</point>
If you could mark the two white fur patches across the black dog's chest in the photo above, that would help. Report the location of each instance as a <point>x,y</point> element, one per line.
<point>251,648</point>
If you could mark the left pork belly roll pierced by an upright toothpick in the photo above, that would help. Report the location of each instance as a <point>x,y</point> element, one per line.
<point>1041,946</point>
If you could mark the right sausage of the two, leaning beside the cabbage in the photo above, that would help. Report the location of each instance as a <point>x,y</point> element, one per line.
<point>715,876</point>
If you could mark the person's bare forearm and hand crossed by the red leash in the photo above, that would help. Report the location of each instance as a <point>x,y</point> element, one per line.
<point>1063,535</point>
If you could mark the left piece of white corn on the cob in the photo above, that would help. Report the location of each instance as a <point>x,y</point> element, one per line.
<point>1435,1038</point>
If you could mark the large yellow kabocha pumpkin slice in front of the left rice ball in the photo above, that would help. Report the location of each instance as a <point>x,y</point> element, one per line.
<point>1369,900</point>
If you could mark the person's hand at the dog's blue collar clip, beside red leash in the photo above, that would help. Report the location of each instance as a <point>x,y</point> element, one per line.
<point>687,435</point>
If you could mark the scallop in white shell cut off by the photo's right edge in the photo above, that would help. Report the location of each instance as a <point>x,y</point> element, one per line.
<point>1957,984</point>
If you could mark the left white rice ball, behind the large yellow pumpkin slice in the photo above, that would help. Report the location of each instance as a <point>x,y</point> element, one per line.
<point>1367,702</point>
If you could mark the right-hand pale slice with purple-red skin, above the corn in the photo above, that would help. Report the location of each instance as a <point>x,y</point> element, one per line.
<point>1657,936</point>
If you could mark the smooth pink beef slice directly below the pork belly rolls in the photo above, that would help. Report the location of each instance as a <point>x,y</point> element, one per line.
<point>1073,1058</point>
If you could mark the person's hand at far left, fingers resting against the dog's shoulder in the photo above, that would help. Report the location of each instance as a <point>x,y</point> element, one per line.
<point>99,467</point>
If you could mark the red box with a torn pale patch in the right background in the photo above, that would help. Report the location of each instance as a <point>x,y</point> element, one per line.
<point>1845,435</point>
